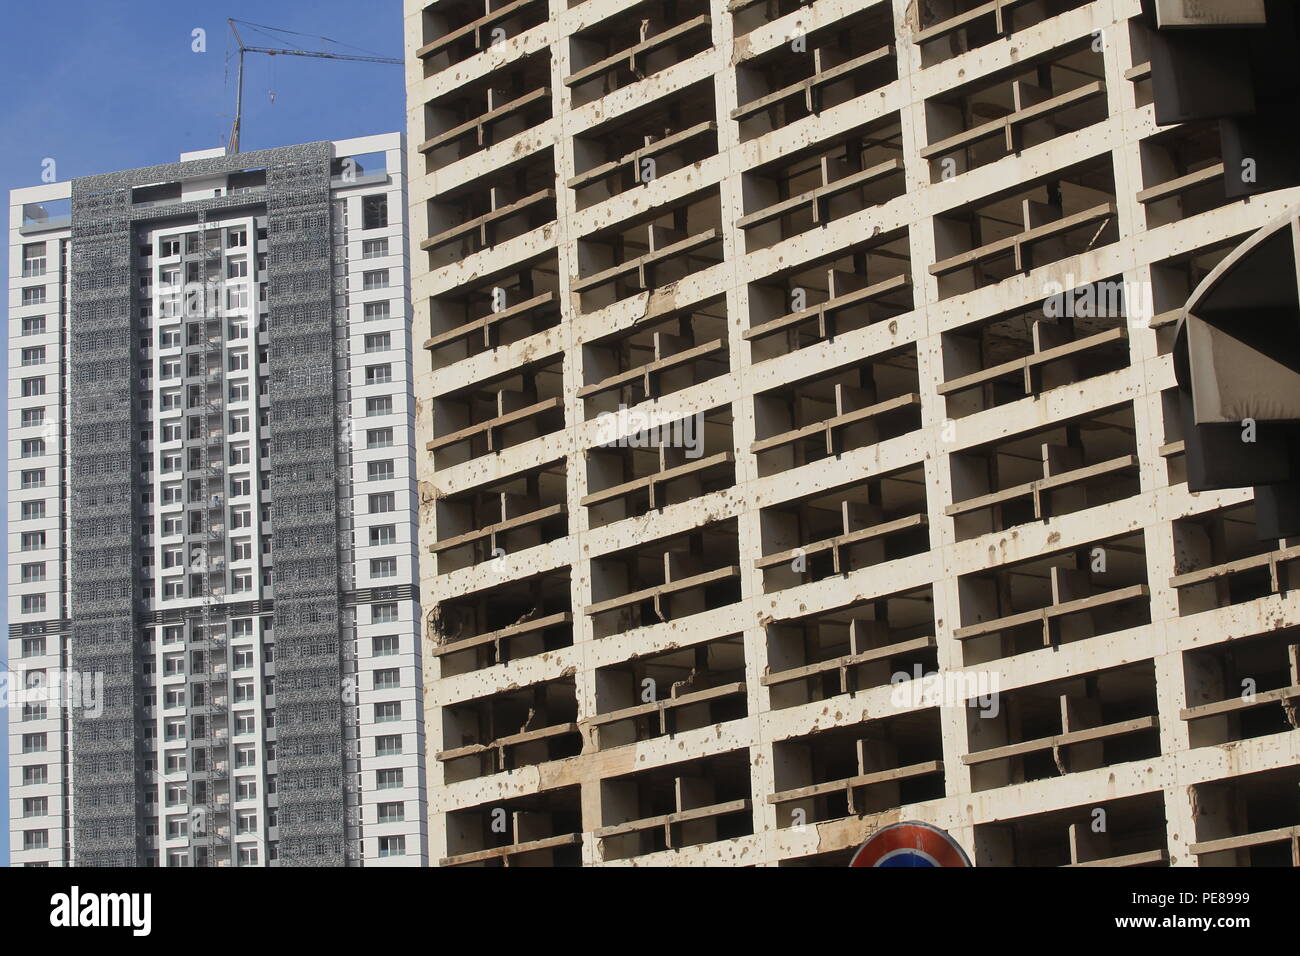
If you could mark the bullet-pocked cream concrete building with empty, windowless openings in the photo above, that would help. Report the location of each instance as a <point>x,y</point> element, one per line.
<point>774,358</point>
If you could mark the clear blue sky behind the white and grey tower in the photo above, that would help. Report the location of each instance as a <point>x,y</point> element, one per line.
<point>105,85</point>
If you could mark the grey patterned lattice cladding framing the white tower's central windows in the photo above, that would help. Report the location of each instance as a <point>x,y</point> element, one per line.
<point>106,483</point>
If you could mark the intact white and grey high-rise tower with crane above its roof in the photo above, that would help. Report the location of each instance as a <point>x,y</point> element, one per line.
<point>211,514</point>
